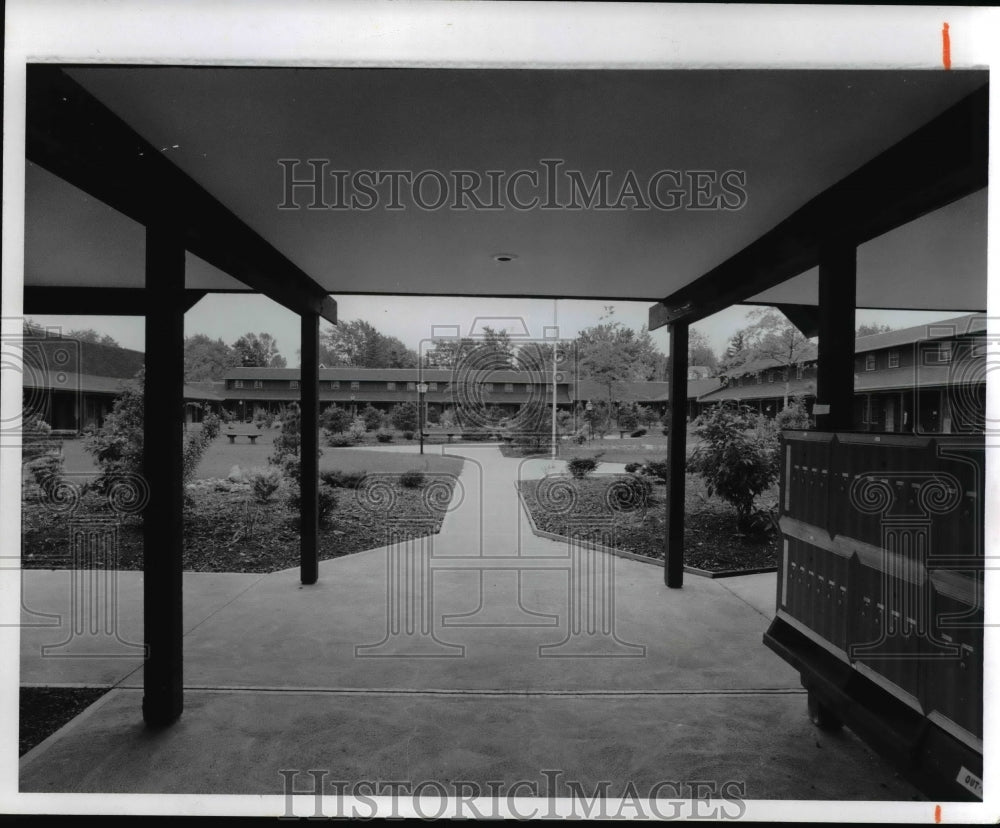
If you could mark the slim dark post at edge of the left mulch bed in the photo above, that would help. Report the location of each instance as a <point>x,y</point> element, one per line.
<point>309,447</point>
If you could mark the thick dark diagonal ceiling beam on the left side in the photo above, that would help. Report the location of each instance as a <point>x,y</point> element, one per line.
<point>73,135</point>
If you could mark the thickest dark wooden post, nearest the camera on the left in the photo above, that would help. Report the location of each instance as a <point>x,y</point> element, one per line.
<point>163,525</point>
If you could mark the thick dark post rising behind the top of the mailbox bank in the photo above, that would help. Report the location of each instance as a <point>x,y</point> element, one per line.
<point>835,363</point>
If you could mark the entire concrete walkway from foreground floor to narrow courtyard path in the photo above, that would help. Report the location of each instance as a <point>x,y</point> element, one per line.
<point>484,653</point>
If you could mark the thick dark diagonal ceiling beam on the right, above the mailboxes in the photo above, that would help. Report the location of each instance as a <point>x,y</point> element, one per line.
<point>943,161</point>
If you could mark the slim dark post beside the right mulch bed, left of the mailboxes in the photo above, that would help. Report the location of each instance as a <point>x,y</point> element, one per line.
<point>676,456</point>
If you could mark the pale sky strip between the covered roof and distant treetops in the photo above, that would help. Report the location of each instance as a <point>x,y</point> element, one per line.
<point>416,318</point>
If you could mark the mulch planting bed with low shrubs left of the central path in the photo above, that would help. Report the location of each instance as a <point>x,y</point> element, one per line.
<point>227,531</point>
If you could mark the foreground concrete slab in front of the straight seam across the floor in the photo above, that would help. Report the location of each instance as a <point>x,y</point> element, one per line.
<point>236,743</point>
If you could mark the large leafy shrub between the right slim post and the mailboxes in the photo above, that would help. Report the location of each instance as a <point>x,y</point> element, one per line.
<point>736,460</point>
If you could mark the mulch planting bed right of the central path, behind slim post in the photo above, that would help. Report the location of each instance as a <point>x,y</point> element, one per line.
<point>711,541</point>
